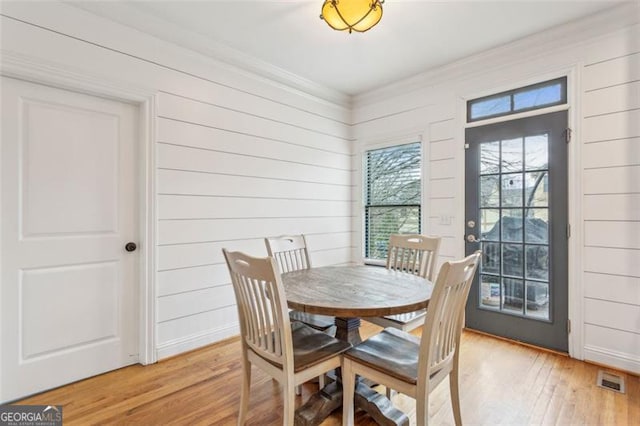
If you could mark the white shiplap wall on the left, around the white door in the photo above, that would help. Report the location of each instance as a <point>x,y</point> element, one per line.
<point>237,159</point>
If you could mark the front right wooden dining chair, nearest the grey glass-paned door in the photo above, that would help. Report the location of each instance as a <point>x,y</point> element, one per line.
<point>415,366</point>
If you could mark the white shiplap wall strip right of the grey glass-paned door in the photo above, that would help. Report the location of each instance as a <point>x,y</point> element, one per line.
<point>611,191</point>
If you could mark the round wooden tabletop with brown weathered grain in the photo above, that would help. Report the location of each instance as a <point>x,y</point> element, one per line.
<point>355,291</point>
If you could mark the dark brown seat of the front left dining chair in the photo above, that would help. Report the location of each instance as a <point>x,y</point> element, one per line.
<point>311,346</point>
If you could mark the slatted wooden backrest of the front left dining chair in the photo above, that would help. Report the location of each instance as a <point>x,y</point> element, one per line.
<point>262,310</point>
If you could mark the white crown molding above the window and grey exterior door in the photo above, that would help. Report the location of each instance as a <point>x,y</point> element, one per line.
<point>572,34</point>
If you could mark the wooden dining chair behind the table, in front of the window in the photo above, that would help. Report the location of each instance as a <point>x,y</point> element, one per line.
<point>415,254</point>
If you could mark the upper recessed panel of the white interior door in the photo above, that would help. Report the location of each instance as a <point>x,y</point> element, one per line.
<point>79,196</point>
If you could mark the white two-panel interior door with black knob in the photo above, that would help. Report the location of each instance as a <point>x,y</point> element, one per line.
<point>69,289</point>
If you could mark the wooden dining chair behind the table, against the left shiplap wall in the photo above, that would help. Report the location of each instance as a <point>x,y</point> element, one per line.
<point>291,254</point>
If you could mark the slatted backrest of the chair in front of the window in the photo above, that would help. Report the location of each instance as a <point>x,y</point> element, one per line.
<point>413,253</point>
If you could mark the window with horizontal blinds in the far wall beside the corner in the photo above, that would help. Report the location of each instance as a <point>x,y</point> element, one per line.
<point>392,196</point>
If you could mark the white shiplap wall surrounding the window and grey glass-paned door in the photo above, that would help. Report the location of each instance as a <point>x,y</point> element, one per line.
<point>605,115</point>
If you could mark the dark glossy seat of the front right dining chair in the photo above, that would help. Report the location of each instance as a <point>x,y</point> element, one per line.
<point>392,352</point>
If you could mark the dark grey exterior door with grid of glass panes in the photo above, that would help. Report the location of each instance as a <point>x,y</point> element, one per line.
<point>516,213</point>
